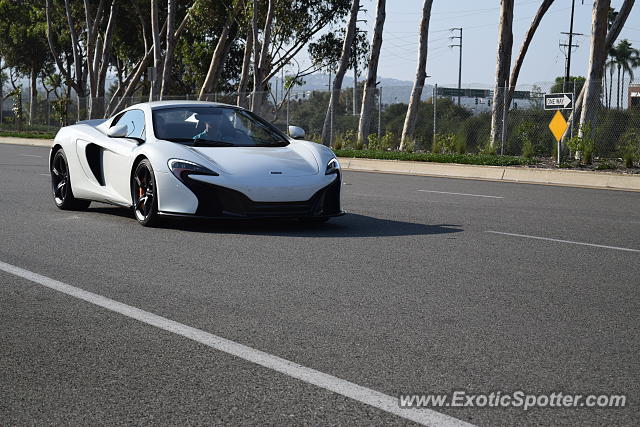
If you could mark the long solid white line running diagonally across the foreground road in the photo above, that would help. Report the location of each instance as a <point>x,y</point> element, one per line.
<point>311,376</point>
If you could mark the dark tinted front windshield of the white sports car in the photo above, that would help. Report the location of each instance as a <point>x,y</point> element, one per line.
<point>215,127</point>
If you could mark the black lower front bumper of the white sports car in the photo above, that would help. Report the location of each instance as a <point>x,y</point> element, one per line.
<point>217,201</point>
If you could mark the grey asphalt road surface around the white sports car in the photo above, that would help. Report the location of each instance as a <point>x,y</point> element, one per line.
<point>411,292</point>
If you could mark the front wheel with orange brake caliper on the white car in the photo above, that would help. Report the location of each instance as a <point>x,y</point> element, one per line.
<point>144,194</point>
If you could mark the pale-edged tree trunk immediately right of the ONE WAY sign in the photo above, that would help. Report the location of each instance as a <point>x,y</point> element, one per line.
<point>597,56</point>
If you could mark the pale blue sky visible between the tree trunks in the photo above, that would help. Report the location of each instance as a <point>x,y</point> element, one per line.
<point>479,20</point>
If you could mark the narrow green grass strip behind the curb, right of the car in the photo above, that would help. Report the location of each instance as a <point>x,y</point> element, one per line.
<point>466,159</point>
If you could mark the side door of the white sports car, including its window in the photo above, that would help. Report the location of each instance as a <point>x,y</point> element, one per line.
<point>118,152</point>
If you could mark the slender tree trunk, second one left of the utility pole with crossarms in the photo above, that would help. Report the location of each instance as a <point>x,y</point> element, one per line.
<point>368,94</point>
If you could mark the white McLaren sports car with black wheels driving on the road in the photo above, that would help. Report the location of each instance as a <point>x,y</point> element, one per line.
<point>187,158</point>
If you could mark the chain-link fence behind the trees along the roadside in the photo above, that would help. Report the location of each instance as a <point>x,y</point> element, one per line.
<point>448,120</point>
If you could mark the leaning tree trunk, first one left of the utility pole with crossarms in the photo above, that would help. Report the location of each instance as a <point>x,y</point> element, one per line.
<point>421,75</point>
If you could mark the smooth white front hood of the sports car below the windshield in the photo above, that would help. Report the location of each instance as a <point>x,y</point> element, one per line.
<point>262,161</point>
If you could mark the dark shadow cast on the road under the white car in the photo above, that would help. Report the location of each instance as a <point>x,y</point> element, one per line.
<point>349,225</point>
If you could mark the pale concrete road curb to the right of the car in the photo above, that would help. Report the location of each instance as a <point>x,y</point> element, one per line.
<point>570,178</point>
